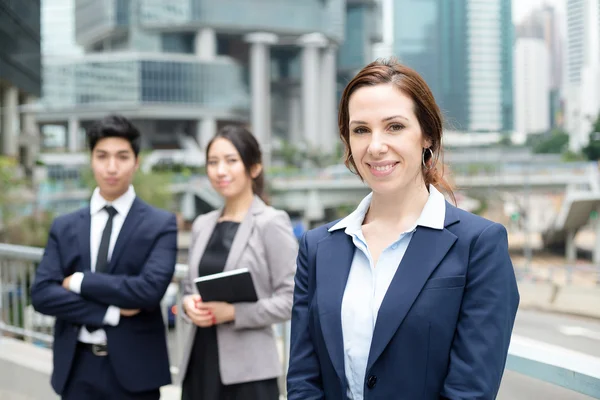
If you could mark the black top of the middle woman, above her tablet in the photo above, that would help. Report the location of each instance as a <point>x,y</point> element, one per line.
<point>217,249</point>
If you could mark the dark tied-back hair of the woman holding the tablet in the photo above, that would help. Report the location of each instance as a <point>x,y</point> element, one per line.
<point>246,144</point>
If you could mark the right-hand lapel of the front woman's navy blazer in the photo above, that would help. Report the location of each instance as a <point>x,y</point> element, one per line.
<point>426,250</point>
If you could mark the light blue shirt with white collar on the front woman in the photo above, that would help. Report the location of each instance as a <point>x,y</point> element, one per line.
<point>367,284</point>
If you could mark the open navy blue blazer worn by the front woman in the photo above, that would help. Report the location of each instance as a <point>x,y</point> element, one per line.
<point>443,328</point>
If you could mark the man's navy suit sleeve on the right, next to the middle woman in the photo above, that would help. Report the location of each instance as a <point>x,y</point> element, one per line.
<point>140,291</point>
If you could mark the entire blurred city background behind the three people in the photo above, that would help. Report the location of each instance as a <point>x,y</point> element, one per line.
<point>518,82</point>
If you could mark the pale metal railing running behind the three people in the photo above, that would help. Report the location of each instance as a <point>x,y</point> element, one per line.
<point>556,365</point>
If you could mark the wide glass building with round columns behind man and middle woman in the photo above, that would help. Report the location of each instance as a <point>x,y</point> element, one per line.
<point>181,69</point>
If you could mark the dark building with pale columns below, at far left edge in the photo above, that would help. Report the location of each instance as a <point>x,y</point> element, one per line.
<point>20,80</point>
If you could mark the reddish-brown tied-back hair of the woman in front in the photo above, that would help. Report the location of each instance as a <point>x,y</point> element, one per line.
<point>409,82</point>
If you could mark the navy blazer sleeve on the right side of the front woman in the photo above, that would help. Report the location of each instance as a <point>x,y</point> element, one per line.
<point>490,301</point>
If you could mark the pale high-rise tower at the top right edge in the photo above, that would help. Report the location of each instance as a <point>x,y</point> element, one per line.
<point>582,84</point>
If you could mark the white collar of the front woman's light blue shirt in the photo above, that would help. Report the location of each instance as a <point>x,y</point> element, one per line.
<point>432,216</point>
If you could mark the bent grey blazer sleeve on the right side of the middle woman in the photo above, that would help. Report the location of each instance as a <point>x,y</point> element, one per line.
<point>281,248</point>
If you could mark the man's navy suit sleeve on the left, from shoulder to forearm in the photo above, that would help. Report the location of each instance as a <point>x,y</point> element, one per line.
<point>50,298</point>
